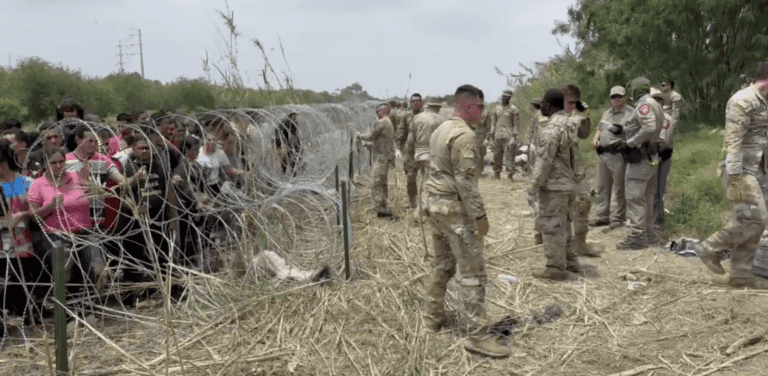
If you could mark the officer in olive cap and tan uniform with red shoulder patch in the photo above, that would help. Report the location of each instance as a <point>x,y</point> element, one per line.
<point>640,150</point>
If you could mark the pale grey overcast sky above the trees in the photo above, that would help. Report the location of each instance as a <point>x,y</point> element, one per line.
<point>329,45</point>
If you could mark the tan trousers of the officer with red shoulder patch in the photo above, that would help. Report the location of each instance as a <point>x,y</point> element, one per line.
<point>639,190</point>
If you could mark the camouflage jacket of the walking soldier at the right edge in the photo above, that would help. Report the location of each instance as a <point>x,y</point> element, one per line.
<point>746,124</point>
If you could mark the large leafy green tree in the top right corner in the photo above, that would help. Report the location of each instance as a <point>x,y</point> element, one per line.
<point>702,45</point>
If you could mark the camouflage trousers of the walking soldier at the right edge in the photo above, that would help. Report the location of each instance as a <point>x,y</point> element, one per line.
<point>742,233</point>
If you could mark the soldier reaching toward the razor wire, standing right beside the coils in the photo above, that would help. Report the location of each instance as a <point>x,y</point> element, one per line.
<point>381,135</point>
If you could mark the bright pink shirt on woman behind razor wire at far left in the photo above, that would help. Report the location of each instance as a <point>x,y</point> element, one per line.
<point>71,217</point>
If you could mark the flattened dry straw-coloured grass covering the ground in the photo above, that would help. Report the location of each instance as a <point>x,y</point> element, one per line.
<point>677,323</point>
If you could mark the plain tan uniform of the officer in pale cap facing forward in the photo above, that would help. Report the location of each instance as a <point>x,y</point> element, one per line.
<point>610,205</point>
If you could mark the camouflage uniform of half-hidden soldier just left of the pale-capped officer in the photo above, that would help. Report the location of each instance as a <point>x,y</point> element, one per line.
<point>579,127</point>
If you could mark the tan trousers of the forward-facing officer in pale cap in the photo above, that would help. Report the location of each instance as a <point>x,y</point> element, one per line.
<point>610,205</point>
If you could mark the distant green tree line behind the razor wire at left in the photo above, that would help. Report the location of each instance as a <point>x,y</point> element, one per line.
<point>32,90</point>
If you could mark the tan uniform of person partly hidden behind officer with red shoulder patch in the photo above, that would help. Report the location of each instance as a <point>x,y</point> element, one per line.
<point>671,108</point>
